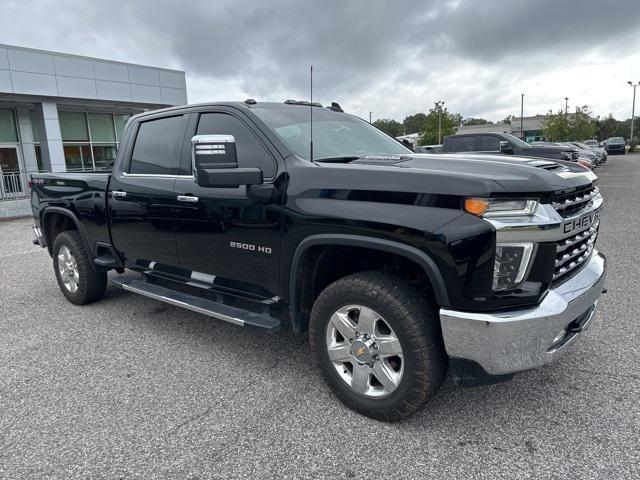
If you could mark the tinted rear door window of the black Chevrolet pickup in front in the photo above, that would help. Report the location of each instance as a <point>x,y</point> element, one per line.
<point>158,146</point>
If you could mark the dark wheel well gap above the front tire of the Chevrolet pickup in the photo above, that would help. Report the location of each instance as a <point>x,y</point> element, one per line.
<point>322,265</point>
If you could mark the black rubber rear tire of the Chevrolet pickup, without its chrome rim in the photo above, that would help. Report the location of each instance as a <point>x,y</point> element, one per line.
<point>91,285</point>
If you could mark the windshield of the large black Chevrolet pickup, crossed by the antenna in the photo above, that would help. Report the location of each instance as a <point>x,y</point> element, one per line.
<point>335,134</point>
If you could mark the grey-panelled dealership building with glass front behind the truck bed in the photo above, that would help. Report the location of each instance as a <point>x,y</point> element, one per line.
<point>61,112</point>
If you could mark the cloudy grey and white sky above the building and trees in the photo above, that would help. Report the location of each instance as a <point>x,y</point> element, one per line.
<point>390,58</point>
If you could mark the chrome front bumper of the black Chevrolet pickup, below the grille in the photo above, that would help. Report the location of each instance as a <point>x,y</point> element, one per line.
<point>508,342</point>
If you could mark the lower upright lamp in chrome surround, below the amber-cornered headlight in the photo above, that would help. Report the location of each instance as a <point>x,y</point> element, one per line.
<point>512,262</point>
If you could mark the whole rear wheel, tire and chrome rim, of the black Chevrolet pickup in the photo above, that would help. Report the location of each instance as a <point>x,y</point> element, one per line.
<point>72,265</point>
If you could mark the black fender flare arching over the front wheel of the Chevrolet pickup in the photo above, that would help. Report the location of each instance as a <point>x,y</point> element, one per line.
<point>412,253</point>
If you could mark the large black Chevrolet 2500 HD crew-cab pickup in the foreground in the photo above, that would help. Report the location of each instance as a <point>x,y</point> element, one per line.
<point>397,265</point>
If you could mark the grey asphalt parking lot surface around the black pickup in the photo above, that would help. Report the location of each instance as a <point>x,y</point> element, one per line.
<point>132,388</point>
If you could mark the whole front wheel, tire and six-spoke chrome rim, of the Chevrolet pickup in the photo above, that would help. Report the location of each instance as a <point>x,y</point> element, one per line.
<point>378,344</point>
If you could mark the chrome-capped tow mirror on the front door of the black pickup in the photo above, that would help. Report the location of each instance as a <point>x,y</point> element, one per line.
<point>215,163</point>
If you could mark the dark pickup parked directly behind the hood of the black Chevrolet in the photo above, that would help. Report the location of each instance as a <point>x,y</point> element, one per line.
<point>507,144</point>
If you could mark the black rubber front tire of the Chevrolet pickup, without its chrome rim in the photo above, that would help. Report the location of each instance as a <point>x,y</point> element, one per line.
<point>416,326</point>
